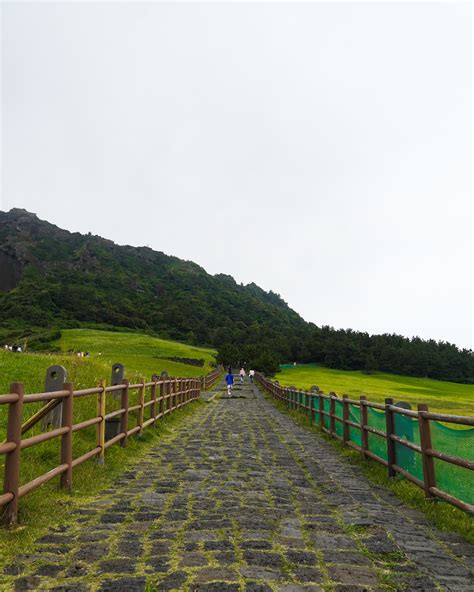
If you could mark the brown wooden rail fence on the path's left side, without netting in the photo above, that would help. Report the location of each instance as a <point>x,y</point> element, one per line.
<point>155,399</point>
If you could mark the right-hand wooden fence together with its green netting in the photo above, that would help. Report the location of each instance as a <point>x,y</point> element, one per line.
<point>418,445</point>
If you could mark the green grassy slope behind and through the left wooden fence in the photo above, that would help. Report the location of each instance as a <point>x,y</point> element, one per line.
<point>141,355</point>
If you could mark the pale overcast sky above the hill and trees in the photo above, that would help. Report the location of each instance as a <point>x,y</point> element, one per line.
<point>320,150</point>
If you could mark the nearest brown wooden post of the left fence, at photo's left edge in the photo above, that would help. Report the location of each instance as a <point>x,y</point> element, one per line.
<point>12,459</point>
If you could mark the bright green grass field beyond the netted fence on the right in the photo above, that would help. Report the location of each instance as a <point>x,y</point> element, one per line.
<point>445,397</point>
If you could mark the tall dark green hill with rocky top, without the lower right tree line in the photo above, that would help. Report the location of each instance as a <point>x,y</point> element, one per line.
<point>52,278</point>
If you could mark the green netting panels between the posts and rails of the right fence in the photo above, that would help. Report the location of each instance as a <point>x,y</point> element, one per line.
<point>455,480</point>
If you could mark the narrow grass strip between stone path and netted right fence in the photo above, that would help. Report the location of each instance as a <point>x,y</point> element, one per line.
<point>439,513</point>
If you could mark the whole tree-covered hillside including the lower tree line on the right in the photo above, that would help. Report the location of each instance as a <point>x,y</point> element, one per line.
<point>52,279</point>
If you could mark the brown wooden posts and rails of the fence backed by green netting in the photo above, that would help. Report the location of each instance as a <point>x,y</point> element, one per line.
<point>312,403</point>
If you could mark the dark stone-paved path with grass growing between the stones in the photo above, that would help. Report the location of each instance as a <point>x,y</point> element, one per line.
<point>242,499</point>
